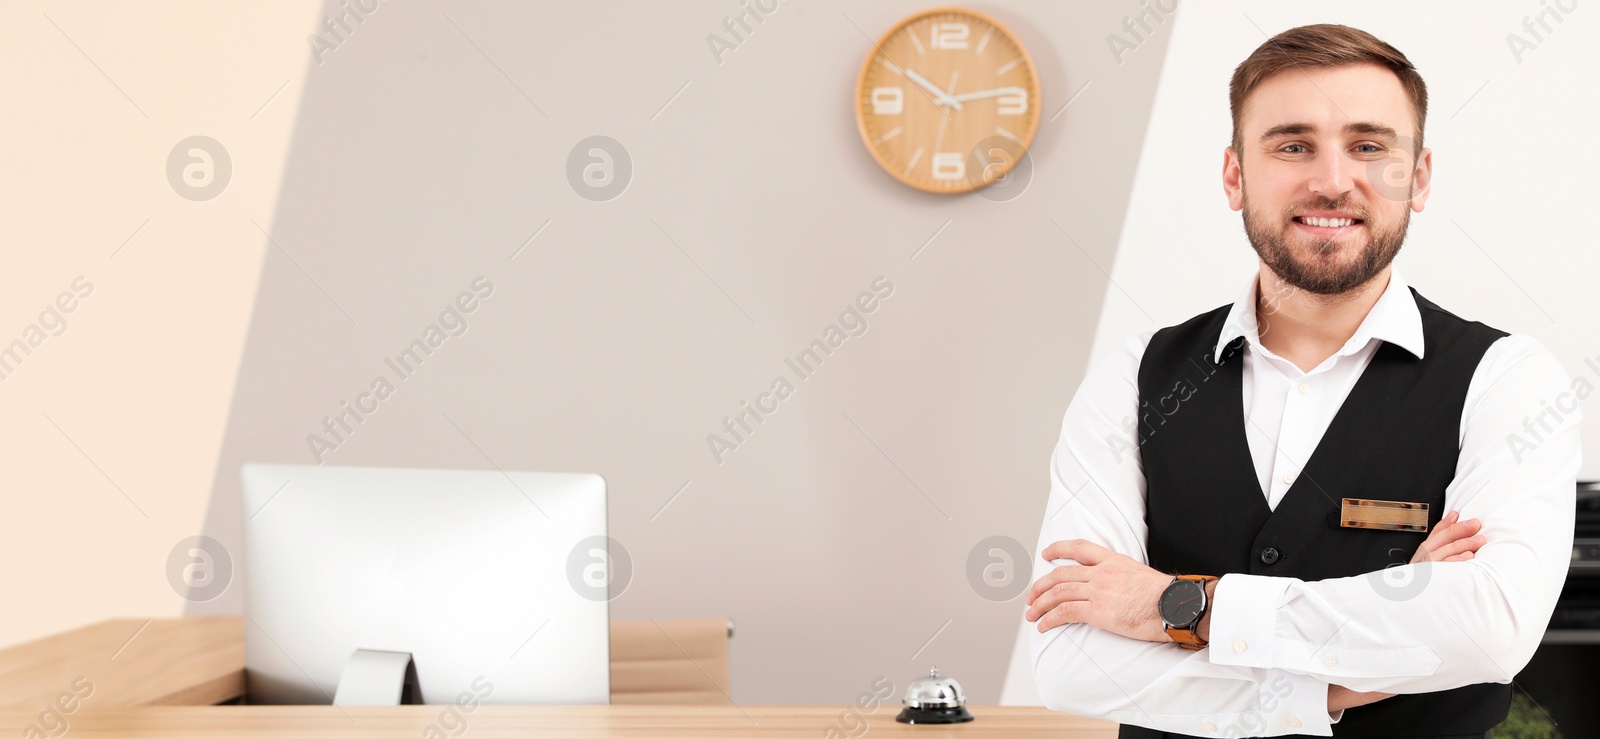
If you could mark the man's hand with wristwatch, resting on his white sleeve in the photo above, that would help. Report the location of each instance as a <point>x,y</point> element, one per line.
<point>1106,589</point>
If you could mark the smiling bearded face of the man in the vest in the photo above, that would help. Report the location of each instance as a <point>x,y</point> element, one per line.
<point>1327,175</point>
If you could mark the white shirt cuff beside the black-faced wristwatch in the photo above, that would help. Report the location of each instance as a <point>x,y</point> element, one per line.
<point>1244,620</point>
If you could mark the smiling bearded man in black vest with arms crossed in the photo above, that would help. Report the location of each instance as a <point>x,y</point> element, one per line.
<point>1289,444</point>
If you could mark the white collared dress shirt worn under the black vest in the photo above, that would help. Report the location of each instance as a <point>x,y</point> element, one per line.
<point>1279,642</point>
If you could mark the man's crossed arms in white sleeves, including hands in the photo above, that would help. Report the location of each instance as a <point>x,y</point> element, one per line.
<point>1289,655</point>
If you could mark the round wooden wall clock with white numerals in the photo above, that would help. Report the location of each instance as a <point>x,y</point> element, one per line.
<point>948,102</point>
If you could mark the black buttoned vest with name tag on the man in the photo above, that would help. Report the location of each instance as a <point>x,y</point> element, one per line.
<point>1394,439</point>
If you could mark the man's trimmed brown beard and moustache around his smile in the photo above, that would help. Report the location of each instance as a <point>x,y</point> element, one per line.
<point>1322,271</point>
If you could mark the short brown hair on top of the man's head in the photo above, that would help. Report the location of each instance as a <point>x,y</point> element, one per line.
<point>1321,47</point>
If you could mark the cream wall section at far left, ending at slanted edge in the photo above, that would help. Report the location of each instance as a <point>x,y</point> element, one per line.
<point>111,428</point>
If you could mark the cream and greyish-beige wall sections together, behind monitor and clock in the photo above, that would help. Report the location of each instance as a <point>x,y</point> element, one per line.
<point>428,148</point>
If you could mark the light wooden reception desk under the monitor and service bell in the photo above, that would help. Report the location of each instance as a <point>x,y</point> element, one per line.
<point>164,679</point>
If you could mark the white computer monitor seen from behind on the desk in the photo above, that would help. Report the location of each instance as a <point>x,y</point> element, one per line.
<point>494,581</point>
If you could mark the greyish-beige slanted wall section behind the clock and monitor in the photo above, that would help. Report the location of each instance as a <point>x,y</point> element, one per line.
<point>433,145</point>
